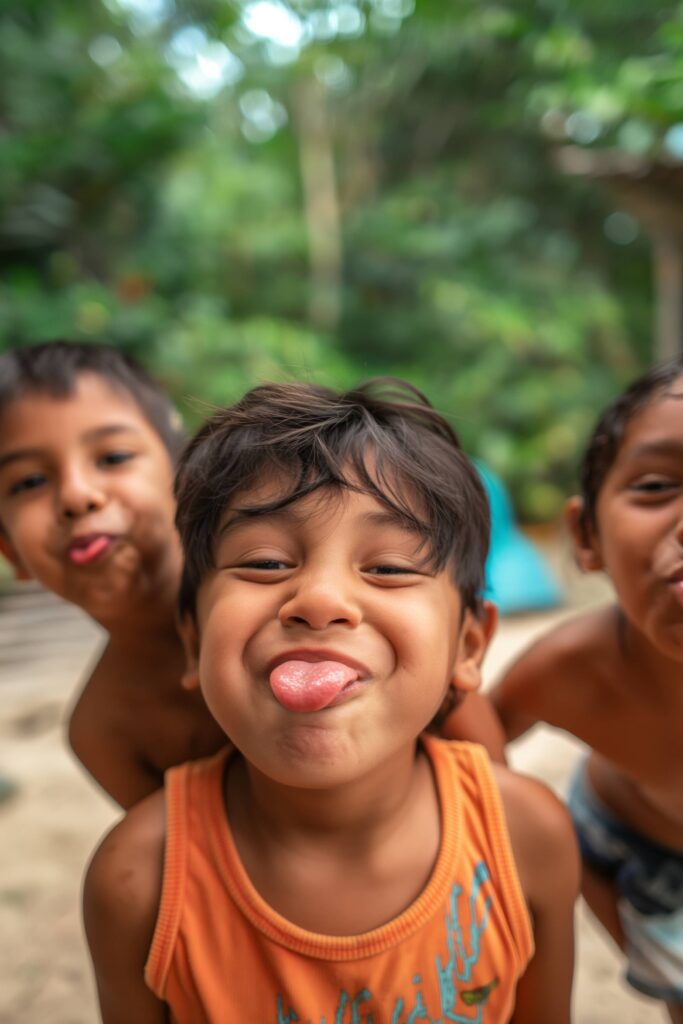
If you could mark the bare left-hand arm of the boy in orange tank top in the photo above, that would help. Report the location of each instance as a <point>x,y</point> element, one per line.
<point>121,901</point>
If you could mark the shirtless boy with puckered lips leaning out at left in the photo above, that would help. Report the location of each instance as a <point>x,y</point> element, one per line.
<point>88,448</point>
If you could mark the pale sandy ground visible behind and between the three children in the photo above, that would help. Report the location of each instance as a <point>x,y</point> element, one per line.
<point>51,826</point>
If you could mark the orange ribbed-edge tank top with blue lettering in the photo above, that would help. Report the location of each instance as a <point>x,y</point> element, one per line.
<point>221,954</point>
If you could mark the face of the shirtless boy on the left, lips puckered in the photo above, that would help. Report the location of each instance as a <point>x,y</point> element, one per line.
<point>87,503</point>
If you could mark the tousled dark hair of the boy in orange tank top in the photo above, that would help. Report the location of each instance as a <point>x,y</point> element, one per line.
<point>382,439</point>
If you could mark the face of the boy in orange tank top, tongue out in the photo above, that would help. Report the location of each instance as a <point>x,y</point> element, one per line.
<point>328,602</point>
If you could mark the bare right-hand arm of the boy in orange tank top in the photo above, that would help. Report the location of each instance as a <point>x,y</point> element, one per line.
<point>548,865</point>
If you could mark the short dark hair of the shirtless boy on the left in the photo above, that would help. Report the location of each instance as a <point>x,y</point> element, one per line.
<point>54,369</point>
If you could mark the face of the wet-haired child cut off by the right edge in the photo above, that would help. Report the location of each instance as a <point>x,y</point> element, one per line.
<point>639,538</point>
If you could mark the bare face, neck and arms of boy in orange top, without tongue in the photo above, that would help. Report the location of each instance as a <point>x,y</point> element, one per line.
<point>368,830</point>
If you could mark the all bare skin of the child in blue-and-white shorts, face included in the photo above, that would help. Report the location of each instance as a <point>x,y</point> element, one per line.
<point>614,677</point>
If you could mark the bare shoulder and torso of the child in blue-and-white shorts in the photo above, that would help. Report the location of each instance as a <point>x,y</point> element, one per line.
<point>581,678</point>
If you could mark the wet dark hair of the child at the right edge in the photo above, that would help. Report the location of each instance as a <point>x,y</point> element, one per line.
<point>607,439</point>
